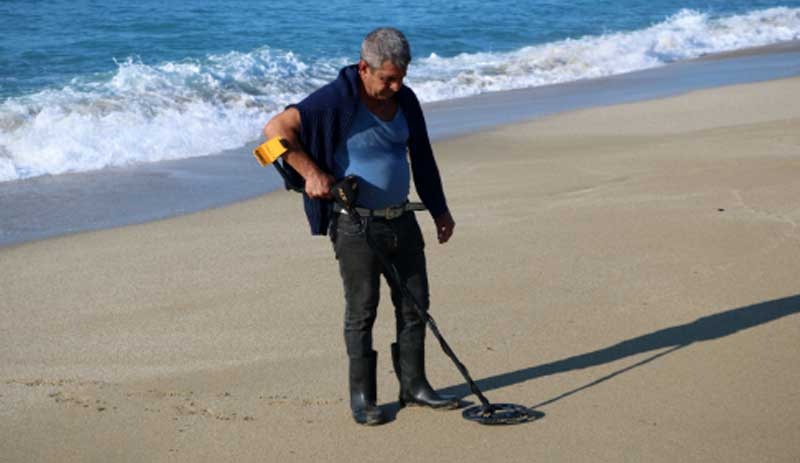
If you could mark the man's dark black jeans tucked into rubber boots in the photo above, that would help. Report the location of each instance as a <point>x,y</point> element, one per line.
<point>400,240</point>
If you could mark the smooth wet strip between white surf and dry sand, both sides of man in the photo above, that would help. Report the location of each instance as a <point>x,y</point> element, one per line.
<point>50,206</point>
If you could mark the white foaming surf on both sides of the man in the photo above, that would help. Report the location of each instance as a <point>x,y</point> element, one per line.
<point>146,113</point>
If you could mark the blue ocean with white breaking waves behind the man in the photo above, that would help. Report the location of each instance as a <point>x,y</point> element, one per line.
<point>86,85</point>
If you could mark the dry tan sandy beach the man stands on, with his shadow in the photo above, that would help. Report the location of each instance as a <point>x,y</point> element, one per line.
<point>629,271</point>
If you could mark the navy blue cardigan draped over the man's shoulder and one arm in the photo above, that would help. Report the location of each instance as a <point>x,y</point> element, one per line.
<point>326,116</point>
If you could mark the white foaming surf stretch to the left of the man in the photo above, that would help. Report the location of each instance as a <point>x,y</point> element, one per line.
<point>151,113</point>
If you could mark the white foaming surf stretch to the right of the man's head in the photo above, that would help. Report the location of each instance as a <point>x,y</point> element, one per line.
<point>687,34</point>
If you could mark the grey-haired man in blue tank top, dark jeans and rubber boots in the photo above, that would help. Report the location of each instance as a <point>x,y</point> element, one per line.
<point>366,123</point>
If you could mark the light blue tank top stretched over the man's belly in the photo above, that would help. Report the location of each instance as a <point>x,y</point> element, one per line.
<point>375,151</point>
